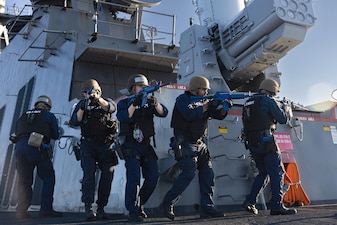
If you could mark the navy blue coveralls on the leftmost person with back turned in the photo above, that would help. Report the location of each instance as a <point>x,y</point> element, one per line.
<point>29,157</point>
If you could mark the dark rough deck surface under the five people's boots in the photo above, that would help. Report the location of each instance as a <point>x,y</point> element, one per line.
<point>322,214</point>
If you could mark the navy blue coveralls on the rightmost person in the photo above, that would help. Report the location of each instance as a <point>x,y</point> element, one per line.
<point>267,162</point>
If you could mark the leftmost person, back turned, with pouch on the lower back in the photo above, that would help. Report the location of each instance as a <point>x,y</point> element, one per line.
<point>30,154</point>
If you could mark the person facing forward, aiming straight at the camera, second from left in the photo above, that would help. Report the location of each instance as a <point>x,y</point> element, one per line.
<point>94,114</point>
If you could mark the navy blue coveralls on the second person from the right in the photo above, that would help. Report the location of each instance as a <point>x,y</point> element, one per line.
<point>190,125</point>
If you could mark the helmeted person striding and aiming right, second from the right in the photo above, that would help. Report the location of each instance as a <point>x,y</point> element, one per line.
<point>190,128</point>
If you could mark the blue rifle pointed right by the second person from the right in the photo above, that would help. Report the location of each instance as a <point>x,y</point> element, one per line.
<point>219,96</point>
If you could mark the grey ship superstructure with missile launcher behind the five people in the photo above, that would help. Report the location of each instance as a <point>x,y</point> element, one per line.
<point>66,42</point>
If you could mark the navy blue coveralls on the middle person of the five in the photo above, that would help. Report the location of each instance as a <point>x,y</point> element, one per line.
<point>140,156</point>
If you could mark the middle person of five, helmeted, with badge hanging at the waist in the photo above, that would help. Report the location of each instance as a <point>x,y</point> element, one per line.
<point>136,128</point>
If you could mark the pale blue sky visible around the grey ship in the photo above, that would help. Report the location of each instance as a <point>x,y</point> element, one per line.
<point>309,71</point>
